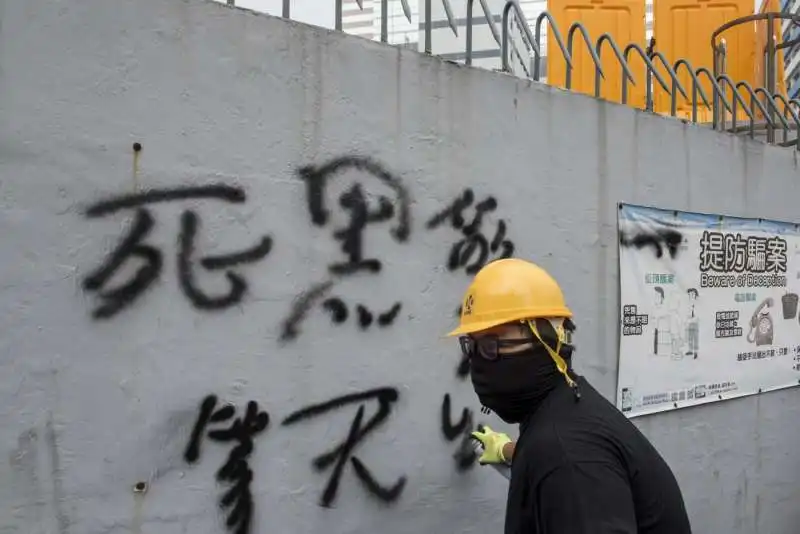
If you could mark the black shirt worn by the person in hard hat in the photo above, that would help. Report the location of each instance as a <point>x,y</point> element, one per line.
<point>583,468</point>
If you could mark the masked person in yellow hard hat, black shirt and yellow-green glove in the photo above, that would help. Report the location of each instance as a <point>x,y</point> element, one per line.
<point>579,466</point>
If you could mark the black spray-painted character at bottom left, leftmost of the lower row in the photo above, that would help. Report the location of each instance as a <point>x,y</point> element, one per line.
<point>235,471</point>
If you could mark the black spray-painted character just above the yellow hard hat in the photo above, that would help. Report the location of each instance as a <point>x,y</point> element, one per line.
<point>474,250</point>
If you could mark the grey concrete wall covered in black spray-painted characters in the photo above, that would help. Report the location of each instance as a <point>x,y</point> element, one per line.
<point>100,387</point>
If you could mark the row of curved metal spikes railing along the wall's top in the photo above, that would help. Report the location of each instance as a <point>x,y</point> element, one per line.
<point>764,108</point>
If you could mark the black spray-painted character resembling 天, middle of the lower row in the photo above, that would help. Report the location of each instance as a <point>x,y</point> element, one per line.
<point>341,453</point>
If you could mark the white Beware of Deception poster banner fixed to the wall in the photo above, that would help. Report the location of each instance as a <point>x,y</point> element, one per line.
<point>708,308</point>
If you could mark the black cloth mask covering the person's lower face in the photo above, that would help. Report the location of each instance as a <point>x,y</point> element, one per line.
<point>514,385</point>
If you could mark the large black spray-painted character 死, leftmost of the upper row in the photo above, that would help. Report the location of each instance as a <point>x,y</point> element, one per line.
<point>132,245</point>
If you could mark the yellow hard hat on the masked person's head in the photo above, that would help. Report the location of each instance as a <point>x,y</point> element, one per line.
<point>509,290</point>
